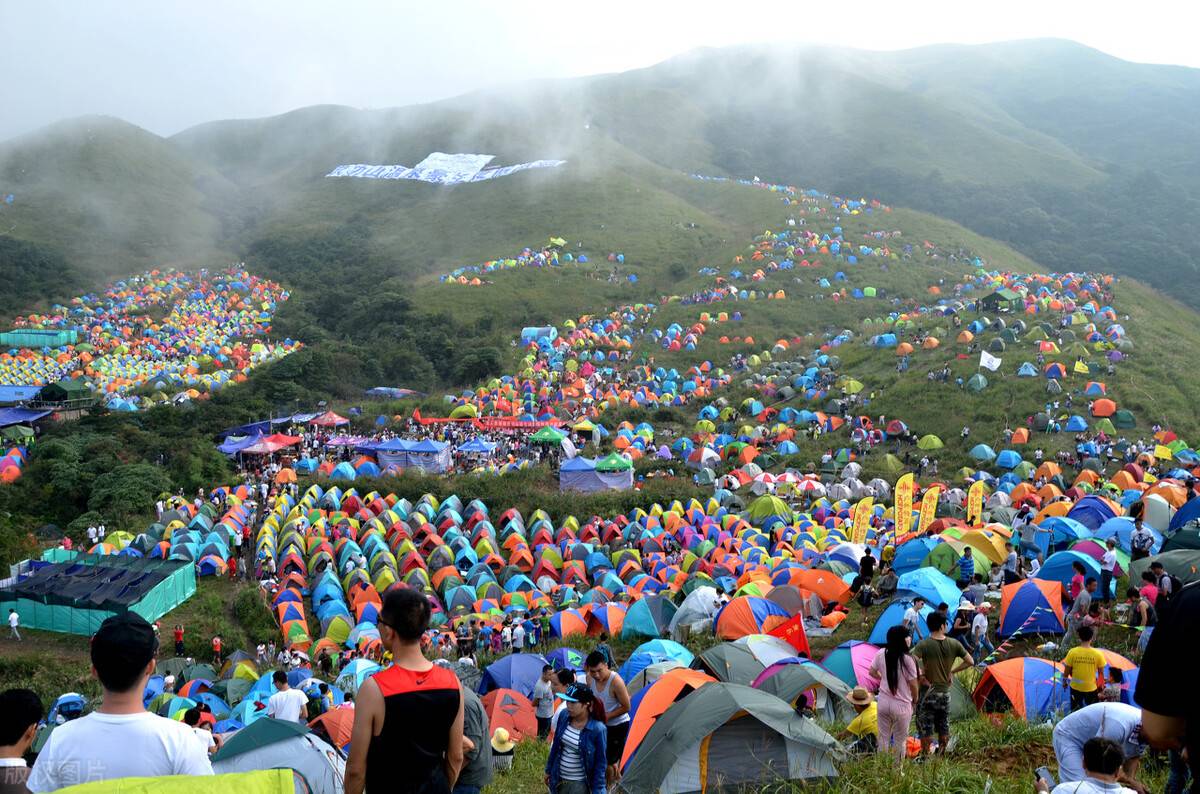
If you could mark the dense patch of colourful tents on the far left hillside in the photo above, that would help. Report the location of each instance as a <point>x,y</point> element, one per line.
<point>206,340</point>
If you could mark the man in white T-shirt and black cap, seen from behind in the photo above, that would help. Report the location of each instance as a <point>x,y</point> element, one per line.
<point>121,739</point>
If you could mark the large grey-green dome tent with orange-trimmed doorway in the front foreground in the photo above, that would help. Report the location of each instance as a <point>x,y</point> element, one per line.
<point>729,736</point>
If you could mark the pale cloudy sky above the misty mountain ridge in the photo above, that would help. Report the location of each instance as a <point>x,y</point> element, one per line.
<point>167,65</point>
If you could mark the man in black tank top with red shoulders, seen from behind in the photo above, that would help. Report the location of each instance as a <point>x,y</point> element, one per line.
<point>409,718</point>
